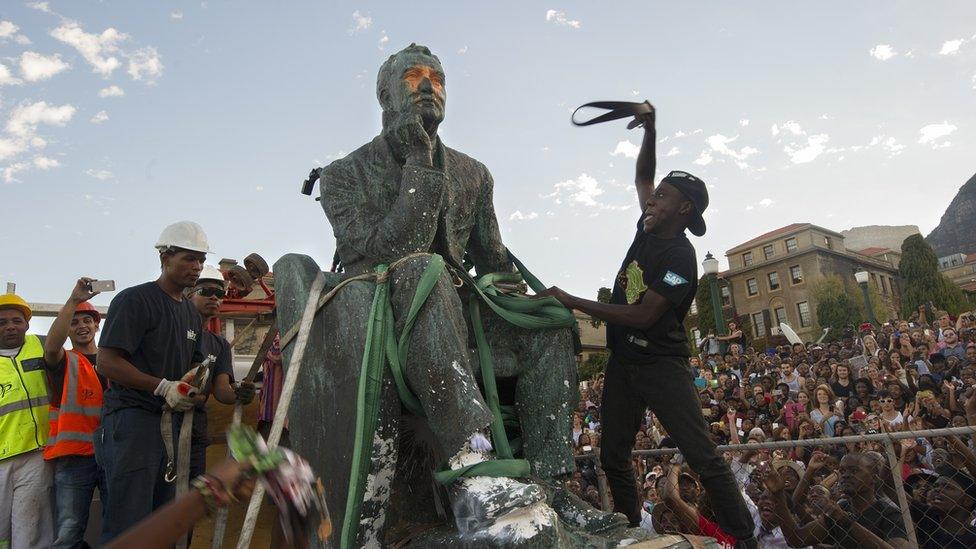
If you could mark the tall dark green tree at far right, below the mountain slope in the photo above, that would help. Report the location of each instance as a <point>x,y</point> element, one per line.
<point>919,270</point>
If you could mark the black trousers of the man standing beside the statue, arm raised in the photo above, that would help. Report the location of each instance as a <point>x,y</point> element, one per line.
<point>666,386</point>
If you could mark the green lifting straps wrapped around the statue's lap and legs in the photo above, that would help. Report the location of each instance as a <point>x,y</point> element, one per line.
<point>382,345</point>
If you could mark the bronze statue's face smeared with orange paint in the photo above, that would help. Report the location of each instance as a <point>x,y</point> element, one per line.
<point>420,89</point>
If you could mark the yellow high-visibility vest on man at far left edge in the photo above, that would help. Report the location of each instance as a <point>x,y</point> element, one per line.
<point>23,400</point>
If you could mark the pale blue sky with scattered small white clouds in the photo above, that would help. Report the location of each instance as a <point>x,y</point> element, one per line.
<point>117,118</point>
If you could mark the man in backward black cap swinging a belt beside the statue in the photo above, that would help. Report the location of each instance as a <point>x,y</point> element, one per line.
<point>648,366</point>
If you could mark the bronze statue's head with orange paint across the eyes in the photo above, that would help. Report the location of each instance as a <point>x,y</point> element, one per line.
<point>412,80</point>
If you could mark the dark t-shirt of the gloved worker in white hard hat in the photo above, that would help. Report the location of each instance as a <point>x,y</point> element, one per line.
<point>157,334</point>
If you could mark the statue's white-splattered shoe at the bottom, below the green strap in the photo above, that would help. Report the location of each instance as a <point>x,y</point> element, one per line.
<point>479,502</point>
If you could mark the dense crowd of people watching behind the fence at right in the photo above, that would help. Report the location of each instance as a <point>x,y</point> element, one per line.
<point>905,375</point>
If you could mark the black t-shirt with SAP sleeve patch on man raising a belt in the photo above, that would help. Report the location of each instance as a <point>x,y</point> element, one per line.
<point>669,267</point>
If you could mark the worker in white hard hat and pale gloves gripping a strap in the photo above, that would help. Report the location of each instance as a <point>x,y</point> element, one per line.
<point>148,347</point>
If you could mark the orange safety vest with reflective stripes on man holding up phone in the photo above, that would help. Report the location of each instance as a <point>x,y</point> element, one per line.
<point>73,424</point>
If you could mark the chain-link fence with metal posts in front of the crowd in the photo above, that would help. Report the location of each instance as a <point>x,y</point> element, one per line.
<point>905,488</point>
